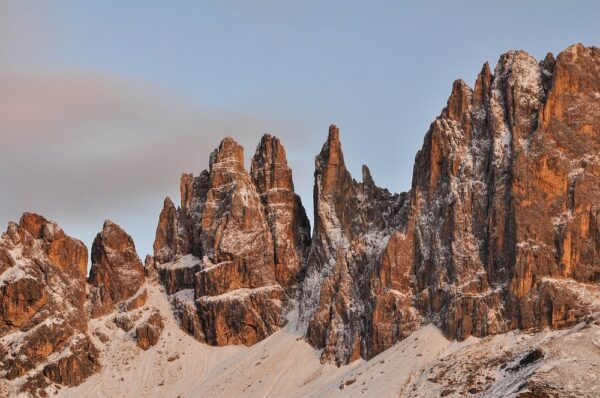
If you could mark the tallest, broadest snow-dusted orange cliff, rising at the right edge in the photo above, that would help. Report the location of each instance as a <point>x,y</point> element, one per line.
<point>514,174</point>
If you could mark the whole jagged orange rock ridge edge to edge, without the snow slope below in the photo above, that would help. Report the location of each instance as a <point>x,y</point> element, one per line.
<point>499,231</point>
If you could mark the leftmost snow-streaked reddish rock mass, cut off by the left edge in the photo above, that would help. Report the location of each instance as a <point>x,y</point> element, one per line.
<point>43,322</point>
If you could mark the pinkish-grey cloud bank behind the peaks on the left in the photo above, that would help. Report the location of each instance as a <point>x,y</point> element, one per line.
<point>80,147</point>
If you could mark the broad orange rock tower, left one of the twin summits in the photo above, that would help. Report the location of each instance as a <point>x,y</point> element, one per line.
<point>235,233</point>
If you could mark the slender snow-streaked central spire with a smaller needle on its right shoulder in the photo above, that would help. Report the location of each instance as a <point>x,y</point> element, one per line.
<point>353,223</point>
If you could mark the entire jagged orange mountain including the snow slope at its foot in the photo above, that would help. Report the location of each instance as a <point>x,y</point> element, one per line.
<point>482,280</point>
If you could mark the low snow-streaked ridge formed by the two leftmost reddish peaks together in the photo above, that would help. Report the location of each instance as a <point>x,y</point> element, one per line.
<point>46,302</point>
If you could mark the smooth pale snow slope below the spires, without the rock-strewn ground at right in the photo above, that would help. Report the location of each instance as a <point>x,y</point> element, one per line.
<point>281,365</point>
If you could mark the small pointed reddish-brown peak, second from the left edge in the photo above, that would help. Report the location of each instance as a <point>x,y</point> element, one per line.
<point>117,272</point>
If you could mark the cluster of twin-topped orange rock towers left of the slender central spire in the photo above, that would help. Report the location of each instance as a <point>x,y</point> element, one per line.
<point>234,251</point>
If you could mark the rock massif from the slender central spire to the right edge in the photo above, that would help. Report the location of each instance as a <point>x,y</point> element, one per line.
<point>498,232</point>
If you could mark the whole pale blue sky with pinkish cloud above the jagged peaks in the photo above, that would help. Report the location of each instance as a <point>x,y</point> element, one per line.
<point>103,104</point>
